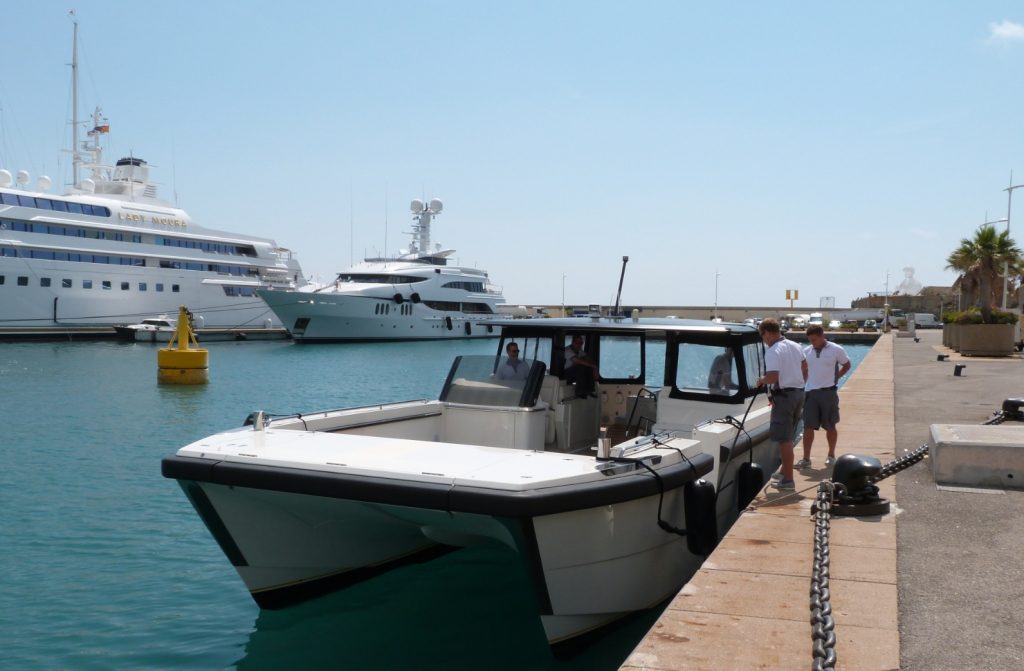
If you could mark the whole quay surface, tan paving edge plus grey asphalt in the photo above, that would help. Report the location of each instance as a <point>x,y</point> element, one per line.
<point>933,585</point>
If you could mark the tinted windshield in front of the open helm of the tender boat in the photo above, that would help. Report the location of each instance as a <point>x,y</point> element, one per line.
<point>494,382</point>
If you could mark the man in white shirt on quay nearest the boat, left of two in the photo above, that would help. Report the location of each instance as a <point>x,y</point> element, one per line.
<point>786,374</point>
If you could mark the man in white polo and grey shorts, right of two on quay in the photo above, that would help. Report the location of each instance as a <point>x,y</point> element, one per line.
<point>827,363</point>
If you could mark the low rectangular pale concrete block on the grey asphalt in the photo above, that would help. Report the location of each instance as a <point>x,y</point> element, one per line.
<point>976,455</point>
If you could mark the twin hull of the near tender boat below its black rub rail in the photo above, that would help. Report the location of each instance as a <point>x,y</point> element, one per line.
<point>588,566</point>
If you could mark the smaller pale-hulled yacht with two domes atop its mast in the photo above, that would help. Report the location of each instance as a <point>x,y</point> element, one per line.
<point>416,296</point>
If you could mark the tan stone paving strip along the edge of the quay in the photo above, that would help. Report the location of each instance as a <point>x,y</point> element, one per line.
<point>748,607</point>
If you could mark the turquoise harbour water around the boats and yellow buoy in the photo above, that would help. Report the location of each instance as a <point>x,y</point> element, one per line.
<point>106,566</point>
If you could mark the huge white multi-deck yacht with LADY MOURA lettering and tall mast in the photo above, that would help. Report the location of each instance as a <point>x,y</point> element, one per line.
<point>110,251</point>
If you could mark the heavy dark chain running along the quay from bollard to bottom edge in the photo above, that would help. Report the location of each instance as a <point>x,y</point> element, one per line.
<point>823,624</point>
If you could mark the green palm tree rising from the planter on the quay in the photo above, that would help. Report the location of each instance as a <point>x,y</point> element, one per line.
<point>980,262</point>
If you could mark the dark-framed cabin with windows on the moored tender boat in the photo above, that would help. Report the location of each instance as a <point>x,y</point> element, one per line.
<point>647,375</point>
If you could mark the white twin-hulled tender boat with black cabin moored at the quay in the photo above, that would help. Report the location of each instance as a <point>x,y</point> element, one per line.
<point>307,505</point>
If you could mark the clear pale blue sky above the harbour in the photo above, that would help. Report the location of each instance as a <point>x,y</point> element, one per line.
<point>760,147</point>
